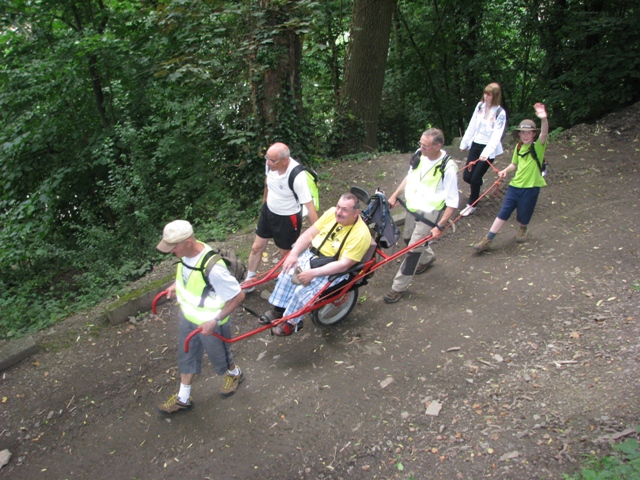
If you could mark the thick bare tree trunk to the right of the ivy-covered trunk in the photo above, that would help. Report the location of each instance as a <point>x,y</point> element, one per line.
<point>364,71</point>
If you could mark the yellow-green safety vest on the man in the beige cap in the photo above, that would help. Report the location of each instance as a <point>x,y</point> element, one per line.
<point>195,302</point>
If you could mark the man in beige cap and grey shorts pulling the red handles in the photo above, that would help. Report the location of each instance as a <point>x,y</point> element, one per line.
<point>204,303</point>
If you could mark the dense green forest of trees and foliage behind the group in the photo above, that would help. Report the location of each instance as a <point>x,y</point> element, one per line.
<point>117,116</point>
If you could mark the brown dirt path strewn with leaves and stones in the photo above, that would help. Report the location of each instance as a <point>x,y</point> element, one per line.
<point>531,350</point>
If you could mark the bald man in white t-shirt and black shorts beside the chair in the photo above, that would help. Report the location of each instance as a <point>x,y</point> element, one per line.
<point>281,214</point>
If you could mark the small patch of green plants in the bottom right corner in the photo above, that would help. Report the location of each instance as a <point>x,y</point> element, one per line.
<point>622,464</point>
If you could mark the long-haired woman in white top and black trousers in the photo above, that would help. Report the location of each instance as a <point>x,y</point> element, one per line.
<point>483,140</point>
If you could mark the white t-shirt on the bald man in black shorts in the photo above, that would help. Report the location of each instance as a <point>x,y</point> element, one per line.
<point>280,198</point>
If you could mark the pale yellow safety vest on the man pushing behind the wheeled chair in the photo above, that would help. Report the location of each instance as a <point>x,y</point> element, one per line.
<point>421,190</point>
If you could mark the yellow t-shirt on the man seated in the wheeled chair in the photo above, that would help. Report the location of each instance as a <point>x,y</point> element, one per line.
<point>357,242</point>
